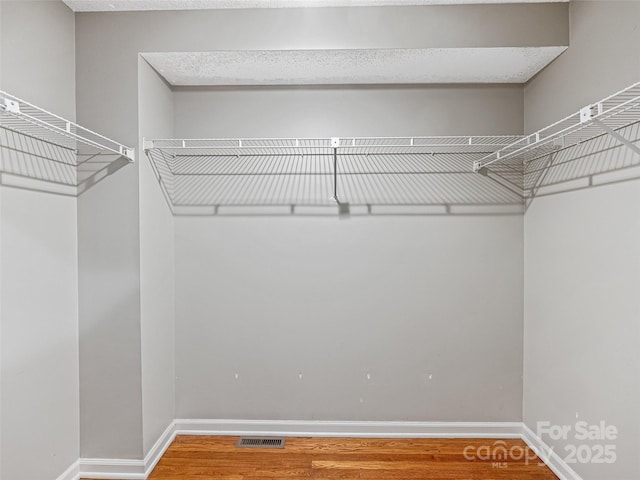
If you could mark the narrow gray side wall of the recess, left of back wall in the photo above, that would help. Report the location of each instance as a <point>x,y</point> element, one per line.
<point>157,310</point>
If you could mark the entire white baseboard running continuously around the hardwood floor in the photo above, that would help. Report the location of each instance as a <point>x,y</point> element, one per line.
<point>114,469</point>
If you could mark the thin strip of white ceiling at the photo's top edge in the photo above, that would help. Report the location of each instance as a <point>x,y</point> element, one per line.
<point>136,5</point>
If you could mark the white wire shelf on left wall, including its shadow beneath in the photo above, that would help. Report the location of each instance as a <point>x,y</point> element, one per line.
<point>43,151</point>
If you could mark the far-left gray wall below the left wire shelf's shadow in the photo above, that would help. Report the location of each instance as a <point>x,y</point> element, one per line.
<point>40,424</point>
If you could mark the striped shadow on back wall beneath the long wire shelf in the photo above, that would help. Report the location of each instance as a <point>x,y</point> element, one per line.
<point>305,184</point>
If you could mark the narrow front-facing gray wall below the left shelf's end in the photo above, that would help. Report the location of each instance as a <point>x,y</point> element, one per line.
<point>109,306</point>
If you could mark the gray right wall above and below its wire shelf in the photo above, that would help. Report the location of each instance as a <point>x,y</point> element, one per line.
<point>581,257</point>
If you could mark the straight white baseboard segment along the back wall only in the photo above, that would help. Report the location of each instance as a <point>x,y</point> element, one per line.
<point>302,428</point>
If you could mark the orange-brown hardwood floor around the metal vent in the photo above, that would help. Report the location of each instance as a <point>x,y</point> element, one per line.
<point>217,458</point>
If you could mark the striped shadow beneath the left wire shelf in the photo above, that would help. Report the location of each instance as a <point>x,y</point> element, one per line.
<point>30,163</point>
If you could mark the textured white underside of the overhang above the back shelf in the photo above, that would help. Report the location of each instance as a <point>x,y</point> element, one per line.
<point>352,67</point>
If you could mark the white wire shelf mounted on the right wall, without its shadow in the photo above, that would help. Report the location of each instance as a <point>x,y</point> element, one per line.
<point>610,116</point>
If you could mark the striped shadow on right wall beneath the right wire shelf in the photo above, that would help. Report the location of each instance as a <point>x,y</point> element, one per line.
<point>602,160</point>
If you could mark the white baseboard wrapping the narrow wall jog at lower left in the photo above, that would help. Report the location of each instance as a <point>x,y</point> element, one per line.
<point>121,469</point>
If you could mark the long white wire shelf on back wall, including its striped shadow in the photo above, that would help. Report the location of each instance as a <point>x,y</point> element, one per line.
<point>420,174</point>
